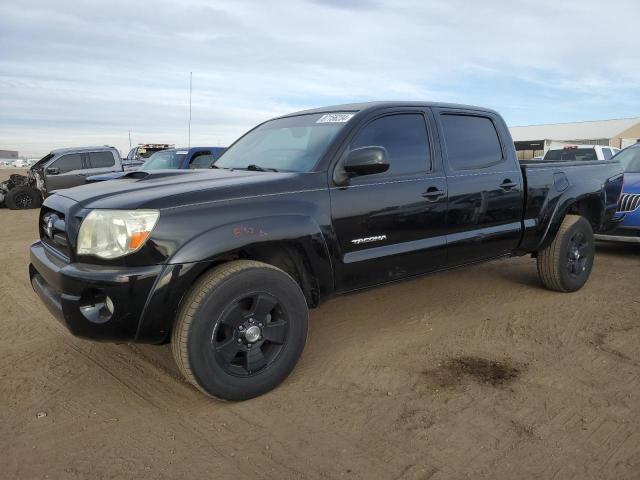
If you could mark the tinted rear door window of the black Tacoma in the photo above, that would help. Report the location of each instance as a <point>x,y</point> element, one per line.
<point>472,142</point>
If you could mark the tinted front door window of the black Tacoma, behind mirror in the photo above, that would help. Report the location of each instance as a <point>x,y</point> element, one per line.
<point>405,139</point>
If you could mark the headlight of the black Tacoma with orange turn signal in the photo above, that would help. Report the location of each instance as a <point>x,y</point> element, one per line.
<point>115,233</point>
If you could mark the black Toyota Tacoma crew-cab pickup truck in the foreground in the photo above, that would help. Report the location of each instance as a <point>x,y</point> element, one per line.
<point>224,263</point>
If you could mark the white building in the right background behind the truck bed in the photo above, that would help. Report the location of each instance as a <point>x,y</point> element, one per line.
<point>533,140</point>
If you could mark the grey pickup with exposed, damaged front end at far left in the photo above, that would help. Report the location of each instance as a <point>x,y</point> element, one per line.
<point>59,169</point>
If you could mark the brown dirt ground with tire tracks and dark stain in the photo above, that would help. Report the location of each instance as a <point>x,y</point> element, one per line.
<point>475,373</point>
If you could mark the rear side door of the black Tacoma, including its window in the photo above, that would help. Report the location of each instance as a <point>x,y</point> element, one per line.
<point>485,186</point>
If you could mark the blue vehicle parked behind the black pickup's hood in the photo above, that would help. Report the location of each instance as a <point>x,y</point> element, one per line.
<point>171,159</point>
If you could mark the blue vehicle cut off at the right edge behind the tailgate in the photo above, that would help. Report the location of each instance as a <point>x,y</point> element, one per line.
<point>628,216</point>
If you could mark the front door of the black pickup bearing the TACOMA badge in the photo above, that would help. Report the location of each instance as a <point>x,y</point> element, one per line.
<point>391,225</point>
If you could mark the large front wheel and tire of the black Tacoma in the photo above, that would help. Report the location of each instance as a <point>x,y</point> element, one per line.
<point>230,307</point>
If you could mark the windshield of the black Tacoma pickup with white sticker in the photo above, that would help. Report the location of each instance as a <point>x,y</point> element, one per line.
<point>293,144</point>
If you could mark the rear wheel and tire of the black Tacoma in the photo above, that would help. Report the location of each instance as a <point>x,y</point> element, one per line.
<point>565,265</point>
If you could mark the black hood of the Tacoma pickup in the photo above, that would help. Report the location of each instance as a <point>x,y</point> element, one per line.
<point>174,188</point>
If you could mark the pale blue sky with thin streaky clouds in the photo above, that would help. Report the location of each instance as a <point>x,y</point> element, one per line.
<point>90,72</point>
